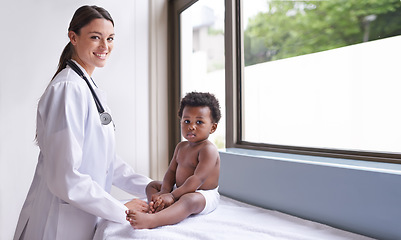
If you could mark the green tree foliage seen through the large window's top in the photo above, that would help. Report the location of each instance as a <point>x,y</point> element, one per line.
<point>292,28</point>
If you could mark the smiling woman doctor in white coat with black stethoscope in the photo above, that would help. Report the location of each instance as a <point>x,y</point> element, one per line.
<point>77,163</point>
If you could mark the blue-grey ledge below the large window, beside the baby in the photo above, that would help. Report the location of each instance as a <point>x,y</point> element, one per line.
<point>357,196</point>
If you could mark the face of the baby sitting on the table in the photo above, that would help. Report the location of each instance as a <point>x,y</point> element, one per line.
<point>197,124</point>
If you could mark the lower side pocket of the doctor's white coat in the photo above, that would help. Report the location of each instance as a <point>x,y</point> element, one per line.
<point>74,223</point>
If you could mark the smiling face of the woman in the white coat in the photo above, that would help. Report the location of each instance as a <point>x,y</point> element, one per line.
<point>93,44</point>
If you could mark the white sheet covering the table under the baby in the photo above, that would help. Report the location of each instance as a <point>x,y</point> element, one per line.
<point>231,220</point>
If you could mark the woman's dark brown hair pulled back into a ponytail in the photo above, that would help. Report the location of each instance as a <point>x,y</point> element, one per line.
<point>82,17</point>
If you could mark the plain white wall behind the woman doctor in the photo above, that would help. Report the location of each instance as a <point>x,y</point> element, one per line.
<point>34,34</point>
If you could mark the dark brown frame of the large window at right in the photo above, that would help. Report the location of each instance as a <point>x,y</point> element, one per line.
<point>234,78</point>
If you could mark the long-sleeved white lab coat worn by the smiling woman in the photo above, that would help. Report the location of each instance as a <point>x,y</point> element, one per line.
<point>76,167</point>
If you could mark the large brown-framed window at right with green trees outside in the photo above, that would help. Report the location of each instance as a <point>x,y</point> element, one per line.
<point>315,77</point>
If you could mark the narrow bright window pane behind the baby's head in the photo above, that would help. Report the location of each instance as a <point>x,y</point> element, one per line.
<point>202,55</point>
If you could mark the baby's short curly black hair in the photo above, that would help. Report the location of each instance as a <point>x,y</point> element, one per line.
<point>201,99</point>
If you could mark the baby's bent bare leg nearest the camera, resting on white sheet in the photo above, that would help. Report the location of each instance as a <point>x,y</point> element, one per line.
<point>190,203</point>
